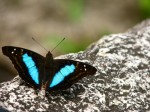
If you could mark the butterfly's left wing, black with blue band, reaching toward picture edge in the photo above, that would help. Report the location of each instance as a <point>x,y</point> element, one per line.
<point>26,62</point>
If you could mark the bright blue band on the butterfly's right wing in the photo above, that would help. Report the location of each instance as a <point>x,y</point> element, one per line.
<point>60,76</point>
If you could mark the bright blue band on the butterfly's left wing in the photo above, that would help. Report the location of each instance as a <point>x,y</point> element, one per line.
<point>32,69</point>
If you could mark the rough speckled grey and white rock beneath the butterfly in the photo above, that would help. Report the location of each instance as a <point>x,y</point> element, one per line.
<point>122,82</point>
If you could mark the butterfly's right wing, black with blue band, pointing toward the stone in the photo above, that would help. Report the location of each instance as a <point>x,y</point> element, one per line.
<point>68,72</point>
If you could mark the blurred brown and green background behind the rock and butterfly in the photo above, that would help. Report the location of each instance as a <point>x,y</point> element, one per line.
<point>81,22</point>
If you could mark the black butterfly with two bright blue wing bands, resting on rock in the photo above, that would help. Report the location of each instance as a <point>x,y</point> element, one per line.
<point>45,72</point>
